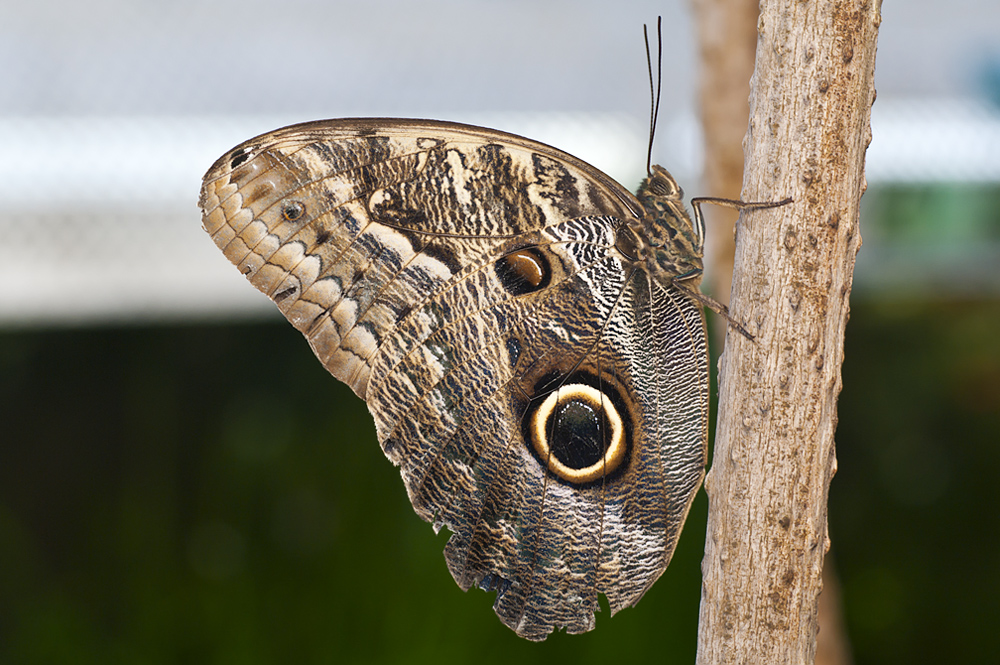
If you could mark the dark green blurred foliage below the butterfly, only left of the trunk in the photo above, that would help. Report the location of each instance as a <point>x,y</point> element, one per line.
<point>212,495</point>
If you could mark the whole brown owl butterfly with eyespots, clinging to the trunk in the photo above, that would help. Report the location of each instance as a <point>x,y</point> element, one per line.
<point>528,336</point>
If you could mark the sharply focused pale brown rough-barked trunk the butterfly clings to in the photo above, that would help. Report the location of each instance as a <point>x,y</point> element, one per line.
<point>774,455</point>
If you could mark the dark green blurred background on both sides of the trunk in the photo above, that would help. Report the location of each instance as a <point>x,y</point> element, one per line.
<point>162,501</point>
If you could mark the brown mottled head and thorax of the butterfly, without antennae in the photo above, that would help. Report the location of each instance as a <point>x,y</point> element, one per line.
<point>672,240</point>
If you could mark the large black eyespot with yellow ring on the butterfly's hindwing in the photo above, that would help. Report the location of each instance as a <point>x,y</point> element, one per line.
<point>579,433</point>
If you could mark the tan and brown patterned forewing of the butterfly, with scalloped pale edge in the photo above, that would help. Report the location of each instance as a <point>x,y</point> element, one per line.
<point>347,224</point>
